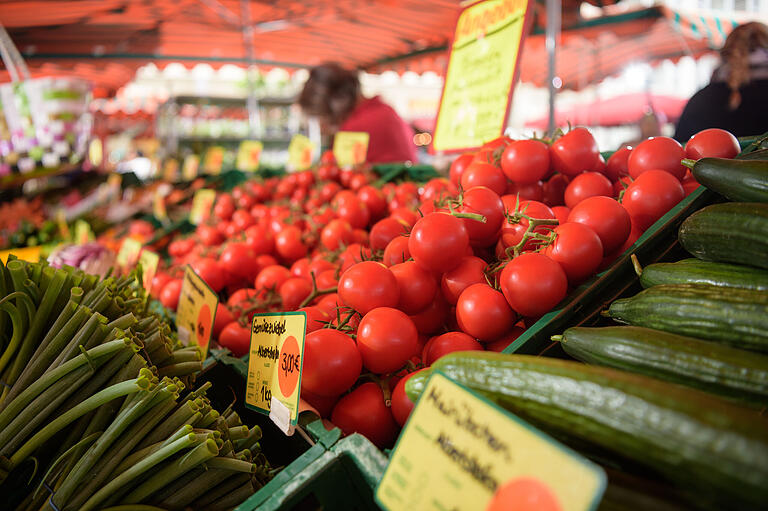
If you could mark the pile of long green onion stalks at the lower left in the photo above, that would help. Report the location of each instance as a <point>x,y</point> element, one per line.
<point>96,401</point>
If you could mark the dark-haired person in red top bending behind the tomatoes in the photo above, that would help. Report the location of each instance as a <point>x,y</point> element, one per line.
<point>332,94</point>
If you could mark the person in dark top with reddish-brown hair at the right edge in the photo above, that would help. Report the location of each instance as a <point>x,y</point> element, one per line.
<point>736,98</point>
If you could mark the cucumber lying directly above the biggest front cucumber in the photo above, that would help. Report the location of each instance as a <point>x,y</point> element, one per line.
<point>712,367</point>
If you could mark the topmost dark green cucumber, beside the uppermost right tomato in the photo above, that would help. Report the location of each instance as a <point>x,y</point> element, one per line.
<point>738,180</point>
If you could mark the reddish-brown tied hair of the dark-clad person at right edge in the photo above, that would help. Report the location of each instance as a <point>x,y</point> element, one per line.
<point>741,42</point>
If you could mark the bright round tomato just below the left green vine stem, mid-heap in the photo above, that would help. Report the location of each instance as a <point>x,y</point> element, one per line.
<point>438,241</point>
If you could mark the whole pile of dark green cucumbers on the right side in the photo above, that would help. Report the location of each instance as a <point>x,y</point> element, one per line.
<point>682,390</point>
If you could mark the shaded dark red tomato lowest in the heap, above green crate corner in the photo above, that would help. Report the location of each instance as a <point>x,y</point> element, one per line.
<point>363,411</point>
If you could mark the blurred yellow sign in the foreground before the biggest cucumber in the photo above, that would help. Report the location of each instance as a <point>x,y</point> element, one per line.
<point>459,451</point>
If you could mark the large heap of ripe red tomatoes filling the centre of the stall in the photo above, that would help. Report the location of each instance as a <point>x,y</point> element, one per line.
<point>394,277</point>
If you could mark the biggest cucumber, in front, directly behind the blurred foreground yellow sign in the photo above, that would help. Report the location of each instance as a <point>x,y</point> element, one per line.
<point>715,450</point>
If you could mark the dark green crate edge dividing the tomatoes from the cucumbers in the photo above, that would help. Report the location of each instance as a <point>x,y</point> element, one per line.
<point>622,272</point>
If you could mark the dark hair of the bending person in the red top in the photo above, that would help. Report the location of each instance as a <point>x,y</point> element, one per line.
<point>331,91</point>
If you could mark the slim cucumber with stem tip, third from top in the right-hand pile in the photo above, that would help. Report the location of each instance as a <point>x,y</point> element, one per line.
<point>696,271</point>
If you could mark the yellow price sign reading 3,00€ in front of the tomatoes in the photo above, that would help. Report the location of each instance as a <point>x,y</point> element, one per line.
<point>275,364</point>
